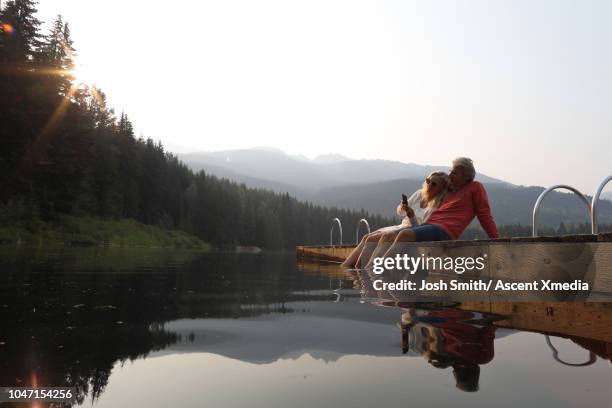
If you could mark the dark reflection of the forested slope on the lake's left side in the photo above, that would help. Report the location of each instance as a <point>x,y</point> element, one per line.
<point>65,325</point>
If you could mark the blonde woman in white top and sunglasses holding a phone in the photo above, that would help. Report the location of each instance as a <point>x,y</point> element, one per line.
<point>420,206</point>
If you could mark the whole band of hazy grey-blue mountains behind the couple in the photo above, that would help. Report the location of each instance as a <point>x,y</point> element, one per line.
<point>376,185</point>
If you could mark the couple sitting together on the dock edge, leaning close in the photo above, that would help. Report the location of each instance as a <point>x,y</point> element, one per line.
<point>440,211</point>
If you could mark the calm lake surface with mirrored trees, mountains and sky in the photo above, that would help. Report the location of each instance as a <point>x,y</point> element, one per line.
<point>131,328</point>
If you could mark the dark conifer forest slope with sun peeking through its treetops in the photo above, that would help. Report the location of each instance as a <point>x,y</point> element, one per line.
<point>67,154</point>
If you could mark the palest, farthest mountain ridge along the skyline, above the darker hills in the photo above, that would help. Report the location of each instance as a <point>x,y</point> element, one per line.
<point>322,172</point>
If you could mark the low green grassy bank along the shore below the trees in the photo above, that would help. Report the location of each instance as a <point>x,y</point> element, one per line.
<point>91,231</point>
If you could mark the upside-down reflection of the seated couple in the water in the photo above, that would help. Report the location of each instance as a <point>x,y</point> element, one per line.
<point>450,338</point>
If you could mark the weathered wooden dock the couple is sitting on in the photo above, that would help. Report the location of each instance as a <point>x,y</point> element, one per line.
<point>577,257</point>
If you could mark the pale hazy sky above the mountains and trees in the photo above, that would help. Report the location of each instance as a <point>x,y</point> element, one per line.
<point>522,87</point>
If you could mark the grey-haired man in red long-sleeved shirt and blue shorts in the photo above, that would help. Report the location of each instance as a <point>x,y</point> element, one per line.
<point>466,199</point>
